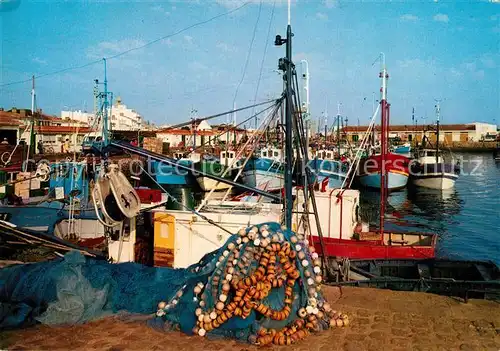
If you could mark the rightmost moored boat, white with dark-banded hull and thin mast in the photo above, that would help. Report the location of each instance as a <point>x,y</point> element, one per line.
<point>429,169</point>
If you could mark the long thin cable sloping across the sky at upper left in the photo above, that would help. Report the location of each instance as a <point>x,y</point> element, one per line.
<point>132,49</point>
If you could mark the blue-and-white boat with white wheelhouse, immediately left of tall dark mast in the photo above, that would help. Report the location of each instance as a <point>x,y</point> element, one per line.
<point>265,171</point>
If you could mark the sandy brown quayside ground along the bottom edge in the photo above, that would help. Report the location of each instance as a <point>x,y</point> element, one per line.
<point>380,320</point>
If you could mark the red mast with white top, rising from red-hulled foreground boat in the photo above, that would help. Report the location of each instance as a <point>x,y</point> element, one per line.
<point>383,144</point>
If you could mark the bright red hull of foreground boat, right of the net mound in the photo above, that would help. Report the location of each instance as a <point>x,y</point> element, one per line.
<point>364,249</point>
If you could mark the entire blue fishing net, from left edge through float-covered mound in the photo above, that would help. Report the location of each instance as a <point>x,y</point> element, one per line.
<point>262,286</point>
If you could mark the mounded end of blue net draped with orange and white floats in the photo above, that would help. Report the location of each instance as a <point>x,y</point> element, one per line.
<point>263,286</point>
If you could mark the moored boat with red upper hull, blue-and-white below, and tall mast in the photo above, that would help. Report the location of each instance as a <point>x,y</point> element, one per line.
<point>395,166</point>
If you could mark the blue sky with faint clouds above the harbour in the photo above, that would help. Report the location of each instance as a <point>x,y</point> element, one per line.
<point>433,50</point>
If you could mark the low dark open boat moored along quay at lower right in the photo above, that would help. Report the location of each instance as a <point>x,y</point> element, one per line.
<point>466,279</point>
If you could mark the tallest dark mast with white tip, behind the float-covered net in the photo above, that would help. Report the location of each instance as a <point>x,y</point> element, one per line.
<point>286,65</point>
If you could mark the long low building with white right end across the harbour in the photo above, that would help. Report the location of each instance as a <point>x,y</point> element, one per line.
<point>471,132</point>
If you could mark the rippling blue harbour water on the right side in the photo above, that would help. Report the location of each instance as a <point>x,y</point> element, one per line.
<point>466,218</point>
